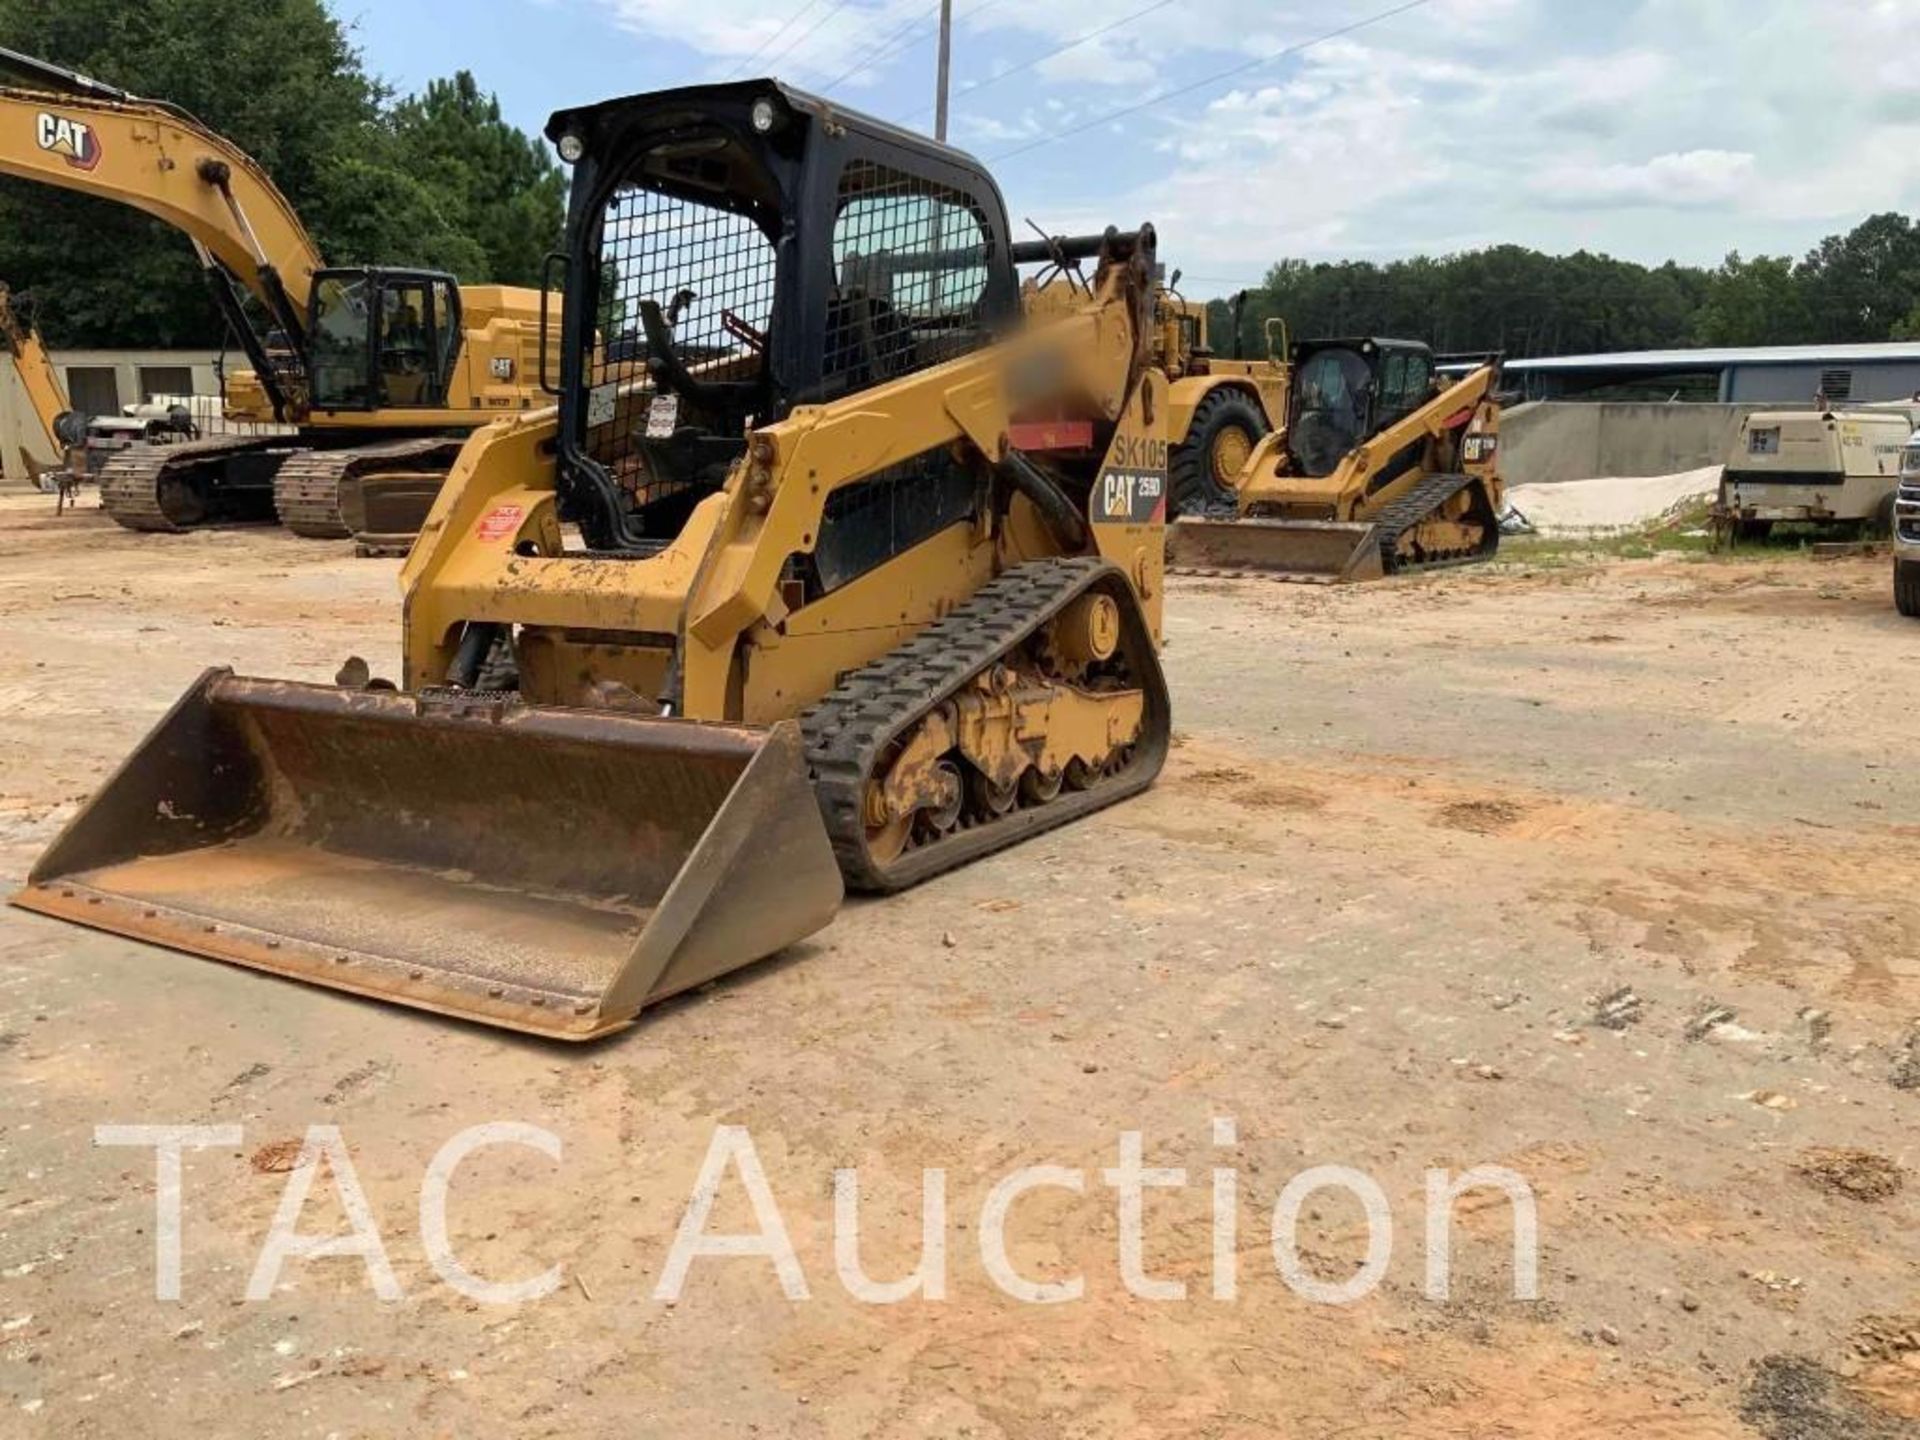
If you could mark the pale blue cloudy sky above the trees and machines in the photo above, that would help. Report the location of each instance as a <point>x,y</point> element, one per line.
<point>1650,130</point>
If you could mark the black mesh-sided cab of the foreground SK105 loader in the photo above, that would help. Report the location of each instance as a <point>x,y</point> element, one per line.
<point>732,252</point>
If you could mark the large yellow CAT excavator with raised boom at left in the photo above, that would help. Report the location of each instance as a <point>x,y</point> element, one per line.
<point>381,373</point>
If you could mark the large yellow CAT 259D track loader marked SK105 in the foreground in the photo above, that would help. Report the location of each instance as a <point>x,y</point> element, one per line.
<point>848,575</point>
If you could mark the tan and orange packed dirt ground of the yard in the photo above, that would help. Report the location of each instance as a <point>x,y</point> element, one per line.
<point>1598,873</point>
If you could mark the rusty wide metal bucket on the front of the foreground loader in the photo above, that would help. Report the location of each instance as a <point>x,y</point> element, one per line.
<point>542,869</point>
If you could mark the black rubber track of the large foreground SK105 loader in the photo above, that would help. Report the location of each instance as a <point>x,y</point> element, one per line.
<point>852,729</point>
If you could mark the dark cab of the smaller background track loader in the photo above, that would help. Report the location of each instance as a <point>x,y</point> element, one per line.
<point>1347,393</point>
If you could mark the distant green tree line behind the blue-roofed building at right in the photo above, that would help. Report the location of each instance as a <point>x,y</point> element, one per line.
<point>1856,287</point>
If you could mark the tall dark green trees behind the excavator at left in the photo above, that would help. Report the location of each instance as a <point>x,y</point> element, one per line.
<point>437,180</point>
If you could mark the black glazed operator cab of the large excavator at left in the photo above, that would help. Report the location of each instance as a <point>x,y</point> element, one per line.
<point>383,339</point>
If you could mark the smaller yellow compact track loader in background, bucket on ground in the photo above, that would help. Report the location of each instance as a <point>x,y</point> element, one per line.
<point>1381,469</point>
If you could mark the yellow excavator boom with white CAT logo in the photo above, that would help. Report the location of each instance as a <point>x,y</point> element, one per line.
<point>166,164</point>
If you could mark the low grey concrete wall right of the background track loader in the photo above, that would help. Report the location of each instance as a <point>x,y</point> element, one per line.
<point>1548,443</point>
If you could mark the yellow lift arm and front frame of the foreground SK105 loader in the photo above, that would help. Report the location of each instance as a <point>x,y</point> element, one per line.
<point>491,550</point>
